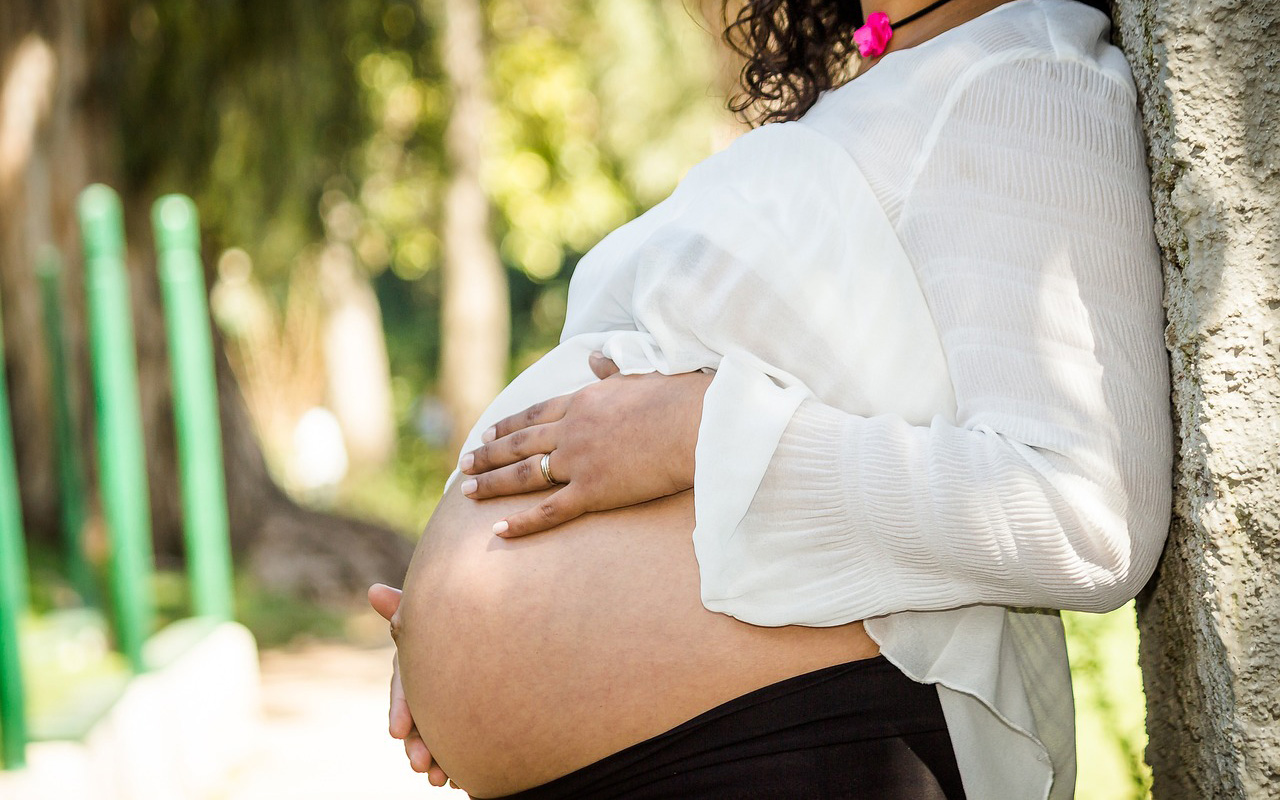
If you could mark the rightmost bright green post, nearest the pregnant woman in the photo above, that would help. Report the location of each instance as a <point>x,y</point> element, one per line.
<point>195,392</point>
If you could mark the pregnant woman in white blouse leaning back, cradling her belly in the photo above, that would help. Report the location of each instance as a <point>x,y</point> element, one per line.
<point>829,436</point>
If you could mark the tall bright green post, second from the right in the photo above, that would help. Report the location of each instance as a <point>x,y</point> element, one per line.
<point>121,454</point>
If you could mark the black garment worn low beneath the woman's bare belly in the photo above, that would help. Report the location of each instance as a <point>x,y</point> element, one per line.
<point>861,730</point>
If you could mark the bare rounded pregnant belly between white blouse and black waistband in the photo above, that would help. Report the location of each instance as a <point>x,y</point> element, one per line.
<point>525,660</point>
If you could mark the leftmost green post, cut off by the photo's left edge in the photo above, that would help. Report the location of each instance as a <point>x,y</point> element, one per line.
<point>13,593</point>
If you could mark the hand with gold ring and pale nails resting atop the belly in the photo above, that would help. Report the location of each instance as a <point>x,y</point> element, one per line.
<point>619,442</point>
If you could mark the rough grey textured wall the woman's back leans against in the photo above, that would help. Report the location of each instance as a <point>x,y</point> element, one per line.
<point>1209,79</point>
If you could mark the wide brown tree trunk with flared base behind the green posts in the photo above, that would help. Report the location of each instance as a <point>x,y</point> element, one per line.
<point>57,134</point>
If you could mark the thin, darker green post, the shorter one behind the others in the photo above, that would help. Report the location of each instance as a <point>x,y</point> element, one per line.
<point>71,472</point>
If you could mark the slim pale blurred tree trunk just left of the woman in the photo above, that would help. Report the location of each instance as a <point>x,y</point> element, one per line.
<point>476,340</point>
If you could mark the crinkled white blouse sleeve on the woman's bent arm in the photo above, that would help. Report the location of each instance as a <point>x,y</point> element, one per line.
<point>1028,225</point>
